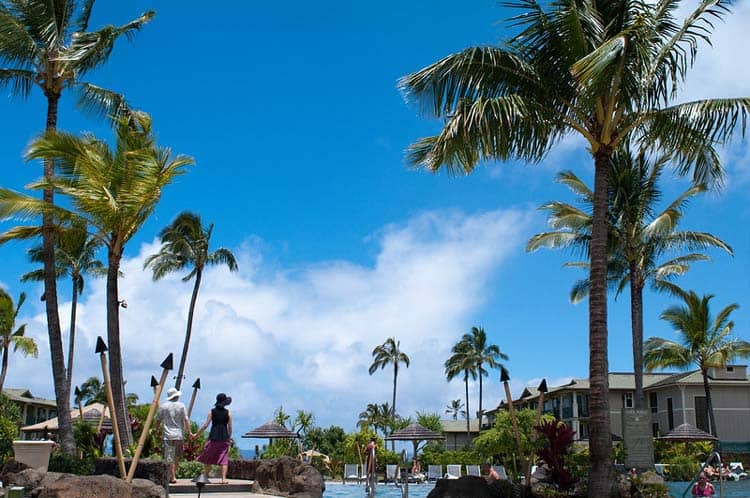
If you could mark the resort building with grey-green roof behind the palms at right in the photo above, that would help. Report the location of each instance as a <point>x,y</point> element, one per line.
<point>673,399</point>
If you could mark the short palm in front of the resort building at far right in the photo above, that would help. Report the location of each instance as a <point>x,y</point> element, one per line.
<point>704,341</point>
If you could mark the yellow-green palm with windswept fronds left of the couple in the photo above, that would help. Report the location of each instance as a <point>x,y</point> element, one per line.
<point>114,190</point>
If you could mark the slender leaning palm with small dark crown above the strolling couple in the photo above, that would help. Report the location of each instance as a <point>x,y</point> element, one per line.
<point>185,244</point>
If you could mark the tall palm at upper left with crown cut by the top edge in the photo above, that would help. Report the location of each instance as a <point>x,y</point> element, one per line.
<point>47,45</point>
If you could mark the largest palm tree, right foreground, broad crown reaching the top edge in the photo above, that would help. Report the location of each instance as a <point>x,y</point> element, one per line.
<point>606,71</point>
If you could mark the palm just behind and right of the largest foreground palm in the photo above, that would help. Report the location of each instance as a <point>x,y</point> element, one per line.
<point>639,235</point>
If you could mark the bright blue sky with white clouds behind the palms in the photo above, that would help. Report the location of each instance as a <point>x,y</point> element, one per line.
<point>292,113</point>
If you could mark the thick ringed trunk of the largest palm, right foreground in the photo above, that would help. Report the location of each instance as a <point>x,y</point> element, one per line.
<point>600,440</point>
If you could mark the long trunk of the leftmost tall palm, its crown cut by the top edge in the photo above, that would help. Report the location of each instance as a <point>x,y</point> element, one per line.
<point>59,377</point>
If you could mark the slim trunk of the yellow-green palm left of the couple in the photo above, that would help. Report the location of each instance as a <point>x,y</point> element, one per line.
<point>113,343</point>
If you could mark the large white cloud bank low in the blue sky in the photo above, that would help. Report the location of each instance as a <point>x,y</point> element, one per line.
<point>303,338</point>
